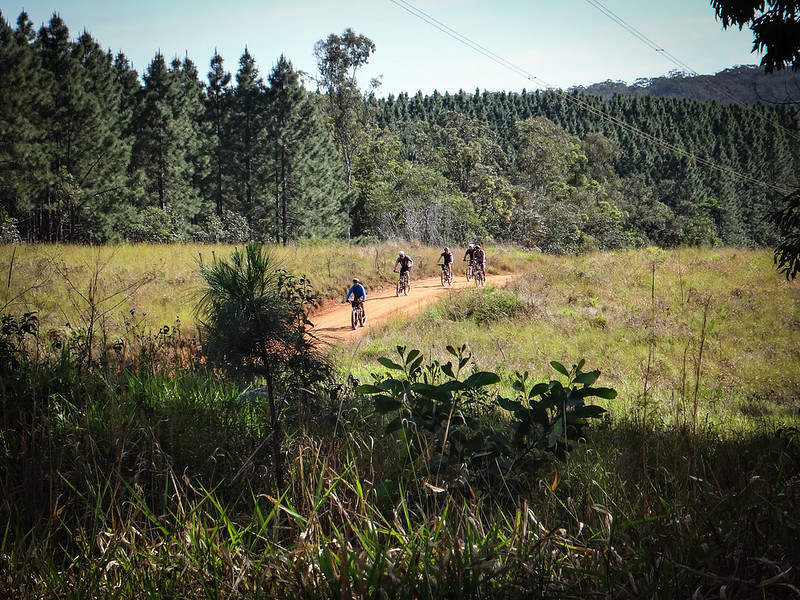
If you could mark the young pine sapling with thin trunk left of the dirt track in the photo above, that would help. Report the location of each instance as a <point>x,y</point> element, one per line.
<point>253,316</point>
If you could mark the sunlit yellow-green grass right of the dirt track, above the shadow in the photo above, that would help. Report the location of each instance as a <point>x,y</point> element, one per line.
<point>721,321</point>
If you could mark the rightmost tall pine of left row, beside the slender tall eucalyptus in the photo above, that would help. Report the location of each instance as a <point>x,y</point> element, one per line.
<point>304,167</point>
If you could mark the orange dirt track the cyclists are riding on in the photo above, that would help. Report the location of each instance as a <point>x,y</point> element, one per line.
<point>332,326</point>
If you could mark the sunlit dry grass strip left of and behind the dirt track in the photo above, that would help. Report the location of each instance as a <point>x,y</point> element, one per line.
<point>161,283</point>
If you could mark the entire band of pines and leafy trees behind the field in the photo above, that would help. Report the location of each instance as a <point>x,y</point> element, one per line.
<point>92,151</point>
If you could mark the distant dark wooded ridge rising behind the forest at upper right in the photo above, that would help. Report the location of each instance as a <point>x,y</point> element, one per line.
<point>743,83</point>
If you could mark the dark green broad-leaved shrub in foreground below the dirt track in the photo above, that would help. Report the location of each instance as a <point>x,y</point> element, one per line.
<point>448,426</point>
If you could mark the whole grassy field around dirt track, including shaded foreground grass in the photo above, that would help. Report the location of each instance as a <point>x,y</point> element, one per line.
<point>689,485</point>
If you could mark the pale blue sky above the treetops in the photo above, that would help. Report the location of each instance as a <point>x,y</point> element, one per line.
<point>549,44</point>
